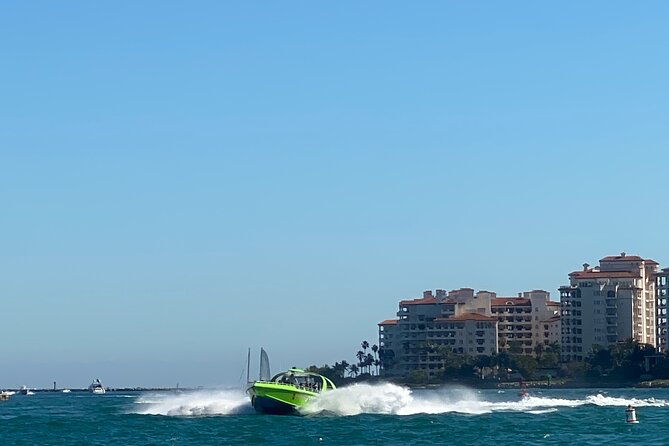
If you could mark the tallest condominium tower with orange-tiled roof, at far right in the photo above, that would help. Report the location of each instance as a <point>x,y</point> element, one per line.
<point>609,303</point>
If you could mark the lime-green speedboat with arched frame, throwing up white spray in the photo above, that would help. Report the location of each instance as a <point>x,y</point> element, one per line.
<point>286,392</point>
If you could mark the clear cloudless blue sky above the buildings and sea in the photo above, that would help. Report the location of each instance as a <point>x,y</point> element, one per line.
<point>180,181</point>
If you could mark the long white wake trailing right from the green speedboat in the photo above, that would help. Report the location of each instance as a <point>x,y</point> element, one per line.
<point>396,400</point>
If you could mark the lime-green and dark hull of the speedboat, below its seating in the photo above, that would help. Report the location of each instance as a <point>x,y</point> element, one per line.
<point>278,399</point>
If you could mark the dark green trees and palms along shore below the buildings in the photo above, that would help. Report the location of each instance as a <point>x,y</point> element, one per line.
<point>626,361</point>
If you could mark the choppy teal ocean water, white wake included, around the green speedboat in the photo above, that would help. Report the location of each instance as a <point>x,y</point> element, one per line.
<point>355,415</point>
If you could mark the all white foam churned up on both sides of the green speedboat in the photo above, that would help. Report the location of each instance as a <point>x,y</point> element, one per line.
<point>384,398</point>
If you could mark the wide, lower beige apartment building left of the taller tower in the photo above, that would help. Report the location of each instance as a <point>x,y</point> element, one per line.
<point>463,322</point>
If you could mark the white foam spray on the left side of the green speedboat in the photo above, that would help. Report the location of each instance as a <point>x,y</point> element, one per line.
<point>198,403</point>
